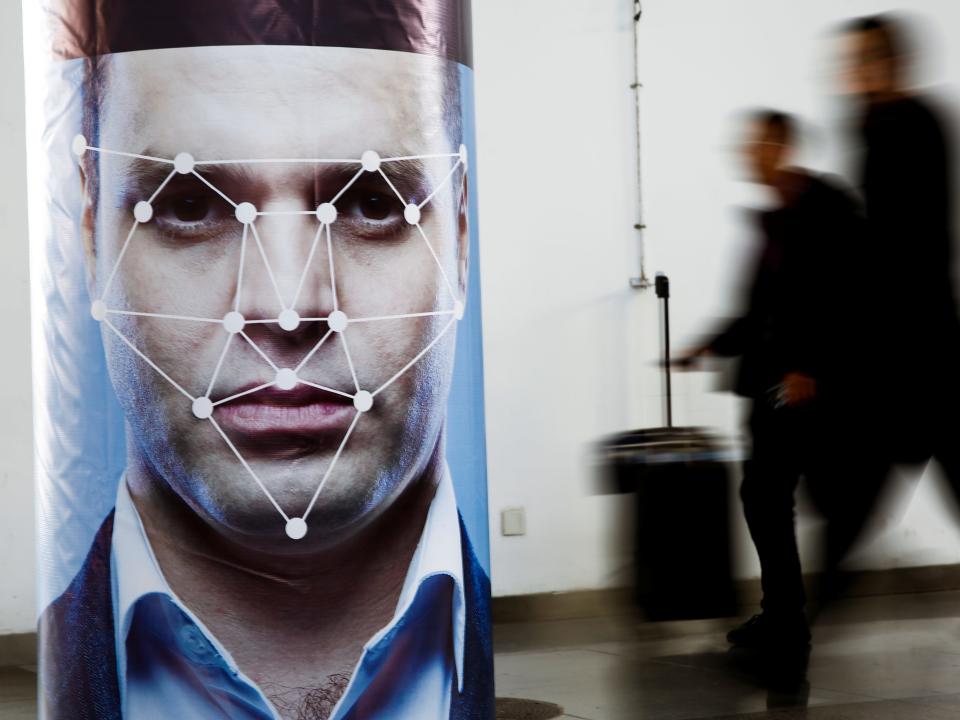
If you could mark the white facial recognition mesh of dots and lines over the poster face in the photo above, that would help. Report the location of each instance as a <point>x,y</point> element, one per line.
<point>284,381</point>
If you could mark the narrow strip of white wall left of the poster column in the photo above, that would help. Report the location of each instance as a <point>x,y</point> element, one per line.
<point>16,471</point>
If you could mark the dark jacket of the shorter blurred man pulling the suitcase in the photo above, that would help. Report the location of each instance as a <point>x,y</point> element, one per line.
<point>798,306</point>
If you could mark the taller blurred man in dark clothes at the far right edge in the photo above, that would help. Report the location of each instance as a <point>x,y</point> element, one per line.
<point>910,337</point>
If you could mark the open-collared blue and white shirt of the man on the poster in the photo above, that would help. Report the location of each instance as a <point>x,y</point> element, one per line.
<point>171,666</point>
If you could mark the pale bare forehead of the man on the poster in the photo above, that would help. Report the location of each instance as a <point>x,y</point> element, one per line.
<point>260,101</point>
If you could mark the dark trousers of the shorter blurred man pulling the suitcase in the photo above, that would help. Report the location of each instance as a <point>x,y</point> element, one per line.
<point>782,448</point>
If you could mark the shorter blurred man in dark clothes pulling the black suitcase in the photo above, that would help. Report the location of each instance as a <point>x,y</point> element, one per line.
<point>786,342</point>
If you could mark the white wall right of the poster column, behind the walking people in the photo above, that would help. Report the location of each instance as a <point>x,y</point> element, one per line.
<point>568,346</point>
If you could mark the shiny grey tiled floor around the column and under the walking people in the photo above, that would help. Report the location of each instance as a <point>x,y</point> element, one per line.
<point>893,658</point>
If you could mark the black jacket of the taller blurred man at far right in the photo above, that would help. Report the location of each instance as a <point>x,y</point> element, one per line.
<point>908,187</point>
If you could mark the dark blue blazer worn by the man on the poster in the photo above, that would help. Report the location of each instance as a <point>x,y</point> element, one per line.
<point>78,661</point>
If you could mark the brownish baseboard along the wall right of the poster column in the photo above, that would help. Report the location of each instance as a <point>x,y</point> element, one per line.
<point>618,601</point>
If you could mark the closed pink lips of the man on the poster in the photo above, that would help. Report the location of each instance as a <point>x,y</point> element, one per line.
<point>301,411</point>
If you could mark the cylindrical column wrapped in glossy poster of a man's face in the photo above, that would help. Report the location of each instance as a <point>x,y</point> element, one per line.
<point>260,450</point>
